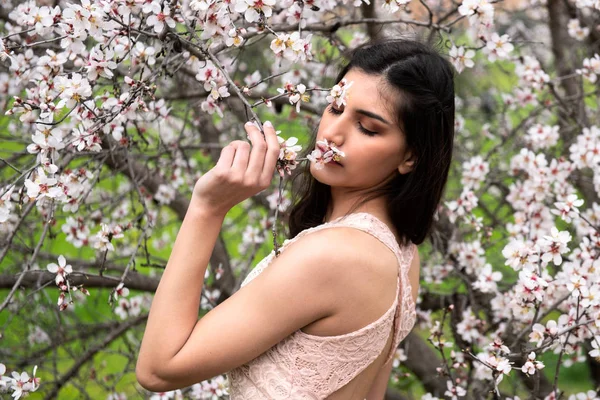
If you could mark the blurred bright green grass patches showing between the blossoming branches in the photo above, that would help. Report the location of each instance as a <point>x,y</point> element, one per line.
<point>115,369</point>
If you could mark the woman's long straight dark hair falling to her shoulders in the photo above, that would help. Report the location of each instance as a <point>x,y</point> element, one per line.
<point>425,112</point>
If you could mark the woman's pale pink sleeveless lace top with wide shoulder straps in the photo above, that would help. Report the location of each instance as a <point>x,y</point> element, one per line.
<point>304,366</point>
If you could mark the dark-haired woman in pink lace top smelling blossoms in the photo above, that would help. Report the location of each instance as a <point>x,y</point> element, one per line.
<point>324,318</point>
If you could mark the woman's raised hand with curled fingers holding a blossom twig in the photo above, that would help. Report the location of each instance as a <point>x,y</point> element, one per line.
<point>240,173</point>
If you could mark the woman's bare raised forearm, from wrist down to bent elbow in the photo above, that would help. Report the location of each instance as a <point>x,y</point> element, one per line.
<point>174,310</point>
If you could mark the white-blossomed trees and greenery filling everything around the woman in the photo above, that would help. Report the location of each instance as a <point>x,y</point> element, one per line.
<point>113,109</point>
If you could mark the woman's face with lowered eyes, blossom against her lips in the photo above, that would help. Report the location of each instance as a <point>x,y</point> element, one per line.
<point>364,129</point>
